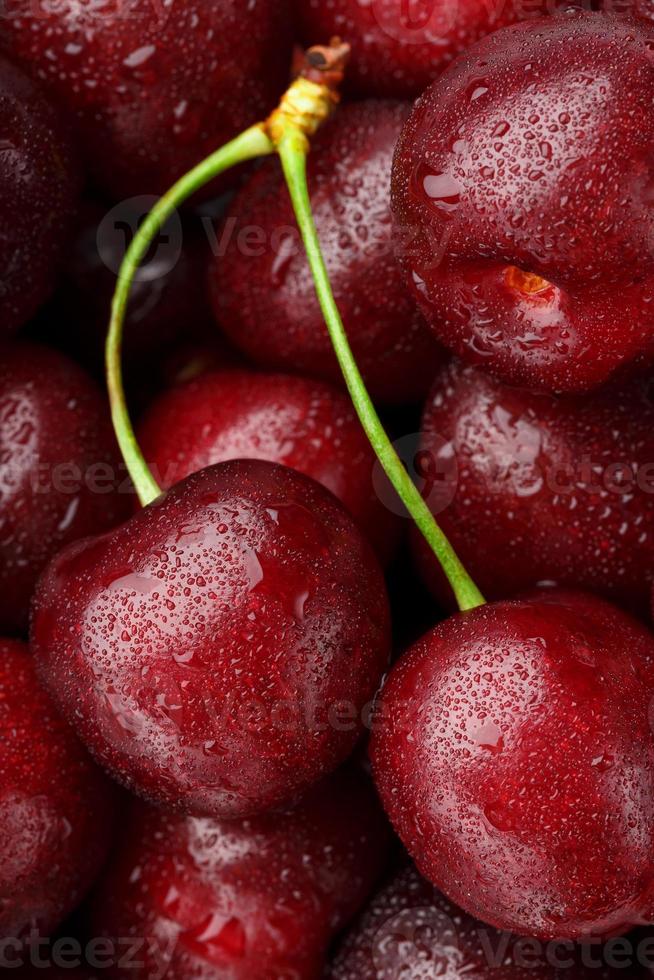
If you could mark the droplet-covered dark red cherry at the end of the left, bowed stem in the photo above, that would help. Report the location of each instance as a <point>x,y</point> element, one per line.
<point>217,651</point>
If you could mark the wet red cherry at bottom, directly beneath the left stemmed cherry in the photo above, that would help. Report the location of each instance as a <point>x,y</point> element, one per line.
<point>243,899</point>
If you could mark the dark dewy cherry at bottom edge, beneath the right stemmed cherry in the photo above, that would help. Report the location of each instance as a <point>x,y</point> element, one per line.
<point>412,931</point>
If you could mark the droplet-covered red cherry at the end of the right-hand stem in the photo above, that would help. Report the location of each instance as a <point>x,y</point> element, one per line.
<point>514,753</point>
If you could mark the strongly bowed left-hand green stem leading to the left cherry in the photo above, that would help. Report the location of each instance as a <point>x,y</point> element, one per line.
<point>254,142</point>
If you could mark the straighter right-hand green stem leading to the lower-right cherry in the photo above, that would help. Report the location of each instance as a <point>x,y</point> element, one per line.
<point>292,150</point>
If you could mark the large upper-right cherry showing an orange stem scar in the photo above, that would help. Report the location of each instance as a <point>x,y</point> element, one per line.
<point>523,197</point>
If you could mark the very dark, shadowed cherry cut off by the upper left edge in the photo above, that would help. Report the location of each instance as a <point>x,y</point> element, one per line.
<point>38,192</point>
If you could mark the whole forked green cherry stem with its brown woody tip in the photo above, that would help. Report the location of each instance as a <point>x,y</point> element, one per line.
<point>308,102</point>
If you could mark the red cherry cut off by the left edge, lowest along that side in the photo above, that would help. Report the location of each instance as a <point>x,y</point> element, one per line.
<point>55,806</point>
